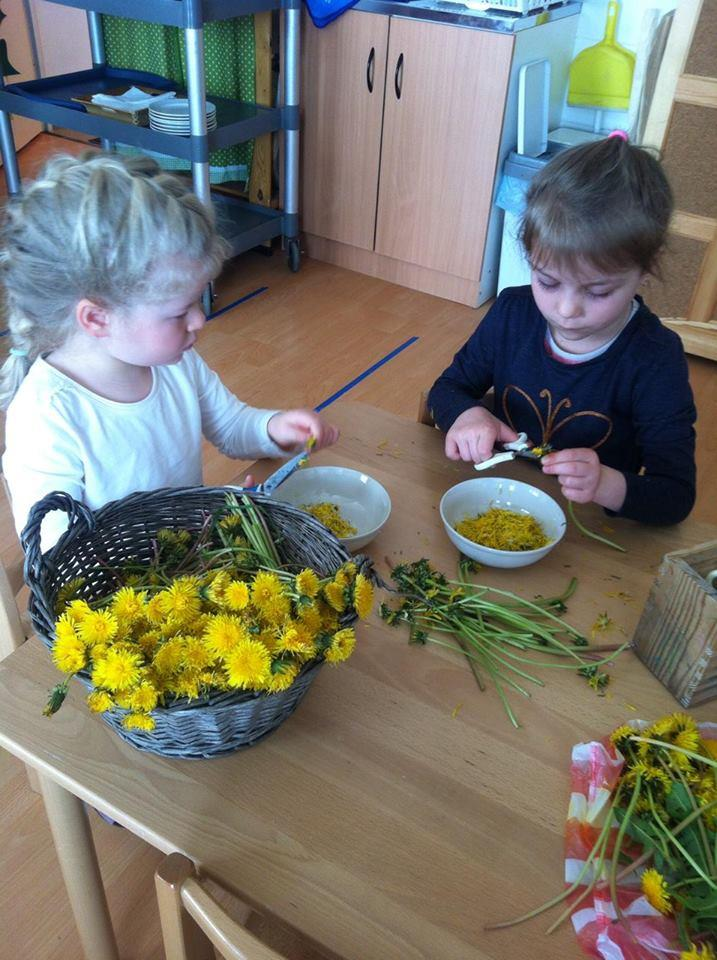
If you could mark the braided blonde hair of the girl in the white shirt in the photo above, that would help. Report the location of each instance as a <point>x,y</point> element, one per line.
<point>117,231</point>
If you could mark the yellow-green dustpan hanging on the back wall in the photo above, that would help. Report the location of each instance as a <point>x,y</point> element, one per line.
<point>601,75</point>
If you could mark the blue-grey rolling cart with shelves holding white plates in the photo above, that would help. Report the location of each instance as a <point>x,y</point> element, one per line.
<point>49,100</point>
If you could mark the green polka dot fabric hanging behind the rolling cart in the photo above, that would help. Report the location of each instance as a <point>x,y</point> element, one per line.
<point>229,64</point>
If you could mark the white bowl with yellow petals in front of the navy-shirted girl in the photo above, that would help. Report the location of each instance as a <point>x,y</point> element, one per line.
<point>501,522</point>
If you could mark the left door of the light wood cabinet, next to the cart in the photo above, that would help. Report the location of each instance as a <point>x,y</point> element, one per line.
<point>344,67</point>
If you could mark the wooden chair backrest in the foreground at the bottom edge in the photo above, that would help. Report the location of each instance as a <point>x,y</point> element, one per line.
<point>193,921</point>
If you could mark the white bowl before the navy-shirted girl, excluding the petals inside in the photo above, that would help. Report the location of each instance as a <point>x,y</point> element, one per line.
<point>473,497</point>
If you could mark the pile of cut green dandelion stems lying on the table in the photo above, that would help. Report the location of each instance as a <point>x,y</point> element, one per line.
<point>502,635</point>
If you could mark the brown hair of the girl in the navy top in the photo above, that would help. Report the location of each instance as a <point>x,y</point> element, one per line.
<point>607,203</point>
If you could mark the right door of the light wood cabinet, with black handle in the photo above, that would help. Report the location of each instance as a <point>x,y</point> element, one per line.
<point>445,96</point>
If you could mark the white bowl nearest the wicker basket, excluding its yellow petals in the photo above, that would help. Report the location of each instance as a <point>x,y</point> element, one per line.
<point>363,502</point>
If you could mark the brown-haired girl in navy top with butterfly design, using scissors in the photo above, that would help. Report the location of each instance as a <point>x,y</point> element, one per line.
<point>577,360</point>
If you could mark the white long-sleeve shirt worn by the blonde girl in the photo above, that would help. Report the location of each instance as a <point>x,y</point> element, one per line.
<point>62,436</point>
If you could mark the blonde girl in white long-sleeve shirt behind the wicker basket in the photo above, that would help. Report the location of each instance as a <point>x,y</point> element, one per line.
<point>104,261</point>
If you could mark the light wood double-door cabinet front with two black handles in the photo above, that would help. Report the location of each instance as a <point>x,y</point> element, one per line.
<point>402,122</point>
